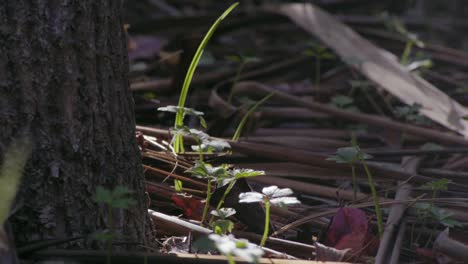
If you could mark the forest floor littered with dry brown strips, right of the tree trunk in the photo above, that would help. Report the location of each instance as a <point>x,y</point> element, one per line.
<point>358,117</point>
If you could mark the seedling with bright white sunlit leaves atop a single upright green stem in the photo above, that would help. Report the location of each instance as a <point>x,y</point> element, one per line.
<point>271,195</point>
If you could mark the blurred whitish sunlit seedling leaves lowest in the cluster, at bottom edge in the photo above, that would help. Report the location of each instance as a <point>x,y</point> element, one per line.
<point>230,247</point>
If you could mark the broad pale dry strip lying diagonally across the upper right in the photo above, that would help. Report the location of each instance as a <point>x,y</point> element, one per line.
<point>379,65</point>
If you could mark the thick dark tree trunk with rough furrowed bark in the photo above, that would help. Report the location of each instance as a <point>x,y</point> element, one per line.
<point>63,82</point>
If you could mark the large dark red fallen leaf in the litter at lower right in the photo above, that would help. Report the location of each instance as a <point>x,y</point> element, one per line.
<point>350,229</point>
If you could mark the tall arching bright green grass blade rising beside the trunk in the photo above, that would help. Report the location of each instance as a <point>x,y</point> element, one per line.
<point>179,120</point>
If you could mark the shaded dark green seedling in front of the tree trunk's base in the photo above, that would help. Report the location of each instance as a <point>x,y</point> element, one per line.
<point>115,199</point>
